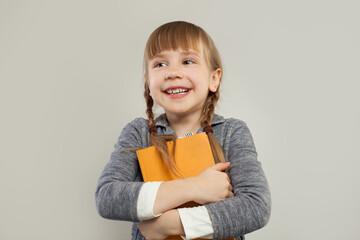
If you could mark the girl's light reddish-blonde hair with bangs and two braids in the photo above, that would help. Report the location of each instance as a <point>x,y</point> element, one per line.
<point>184,35</point>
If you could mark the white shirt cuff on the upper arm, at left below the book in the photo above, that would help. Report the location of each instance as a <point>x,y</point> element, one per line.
<point>146,200</point>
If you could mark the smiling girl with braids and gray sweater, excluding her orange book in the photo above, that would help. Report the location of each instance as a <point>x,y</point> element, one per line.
<point>183,74</point>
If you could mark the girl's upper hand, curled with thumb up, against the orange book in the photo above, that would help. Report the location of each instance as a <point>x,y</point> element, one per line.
<point>212,185</point>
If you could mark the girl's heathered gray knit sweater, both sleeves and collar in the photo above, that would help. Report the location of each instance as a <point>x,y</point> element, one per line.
<point>120,182</point>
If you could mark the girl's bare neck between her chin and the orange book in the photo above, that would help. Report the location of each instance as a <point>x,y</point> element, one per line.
<point>184,124</point>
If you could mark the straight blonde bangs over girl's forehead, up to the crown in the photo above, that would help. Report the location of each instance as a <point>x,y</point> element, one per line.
<point>173,37</point>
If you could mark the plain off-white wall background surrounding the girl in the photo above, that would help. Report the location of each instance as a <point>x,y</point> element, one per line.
<point>71,78</point>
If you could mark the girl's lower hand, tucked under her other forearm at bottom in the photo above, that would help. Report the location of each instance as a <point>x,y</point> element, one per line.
<point>168,224</point>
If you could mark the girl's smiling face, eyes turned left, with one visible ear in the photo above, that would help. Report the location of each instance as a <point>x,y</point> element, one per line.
<point>179,81</point>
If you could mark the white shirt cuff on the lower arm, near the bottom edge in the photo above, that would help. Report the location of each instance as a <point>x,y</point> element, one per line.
<point>196,222</point>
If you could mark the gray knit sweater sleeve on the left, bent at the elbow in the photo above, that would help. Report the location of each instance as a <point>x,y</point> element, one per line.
<point>118,187</point>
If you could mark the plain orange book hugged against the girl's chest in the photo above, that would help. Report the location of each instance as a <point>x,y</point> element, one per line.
<point>192,155</point>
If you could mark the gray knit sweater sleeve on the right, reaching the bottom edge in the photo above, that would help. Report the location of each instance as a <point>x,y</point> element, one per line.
<point>249,208</point>
